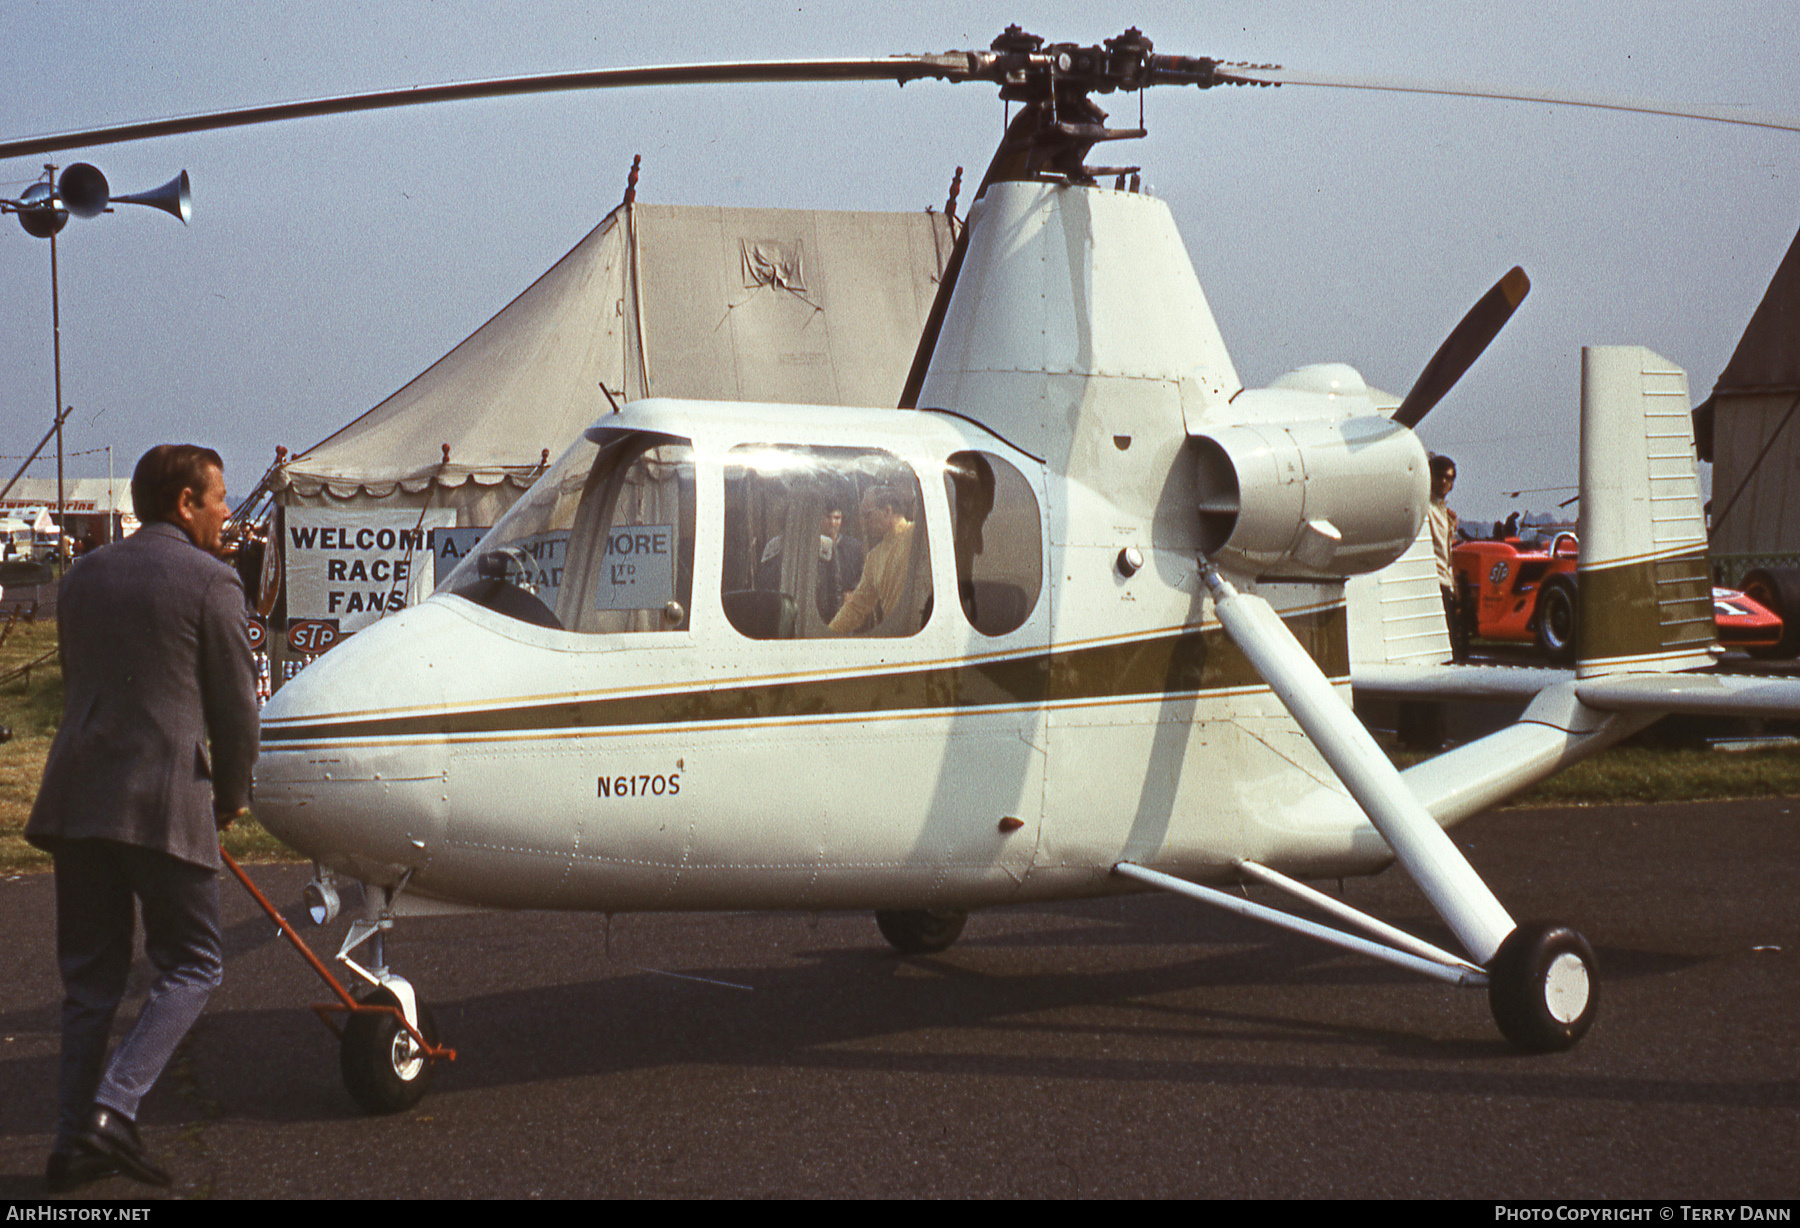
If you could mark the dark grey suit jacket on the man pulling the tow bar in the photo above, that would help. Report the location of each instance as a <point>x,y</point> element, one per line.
<point>156,669</point>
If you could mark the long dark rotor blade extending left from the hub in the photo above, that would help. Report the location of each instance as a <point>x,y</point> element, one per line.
<point>903,69</point>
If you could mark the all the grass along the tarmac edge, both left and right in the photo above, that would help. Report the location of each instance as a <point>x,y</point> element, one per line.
<point>33,707</point>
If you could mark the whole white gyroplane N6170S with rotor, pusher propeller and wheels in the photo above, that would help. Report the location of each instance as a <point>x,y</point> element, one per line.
<point>1095,638</point>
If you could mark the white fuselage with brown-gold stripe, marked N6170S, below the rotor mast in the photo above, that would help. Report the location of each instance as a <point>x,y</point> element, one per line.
<point>719,745</point>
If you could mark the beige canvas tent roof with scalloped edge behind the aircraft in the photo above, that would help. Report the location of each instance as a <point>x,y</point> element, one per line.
<point>771,305</point>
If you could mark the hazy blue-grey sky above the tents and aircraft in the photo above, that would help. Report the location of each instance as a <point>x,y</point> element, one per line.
<point>334,260</point>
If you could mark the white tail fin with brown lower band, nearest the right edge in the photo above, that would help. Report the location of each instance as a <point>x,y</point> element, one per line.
<point>1646,590</point>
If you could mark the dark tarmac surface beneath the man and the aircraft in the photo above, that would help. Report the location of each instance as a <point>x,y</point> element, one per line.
<point>1124,1047</point>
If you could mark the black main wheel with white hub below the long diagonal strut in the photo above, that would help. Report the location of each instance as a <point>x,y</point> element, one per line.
<point>1543,988</point>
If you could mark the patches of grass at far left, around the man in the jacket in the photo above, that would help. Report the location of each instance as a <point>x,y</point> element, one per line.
<point>31,709</point>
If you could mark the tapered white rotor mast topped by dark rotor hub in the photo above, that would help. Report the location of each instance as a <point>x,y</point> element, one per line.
<point>1070,320</point>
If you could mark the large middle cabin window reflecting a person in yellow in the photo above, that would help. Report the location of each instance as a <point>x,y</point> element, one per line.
<point>823,543</point>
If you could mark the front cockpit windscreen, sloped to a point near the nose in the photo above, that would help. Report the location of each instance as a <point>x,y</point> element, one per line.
<point>600,545</point>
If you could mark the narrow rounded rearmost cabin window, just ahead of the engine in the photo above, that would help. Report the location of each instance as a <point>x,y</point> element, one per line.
<point>998,534</point>
